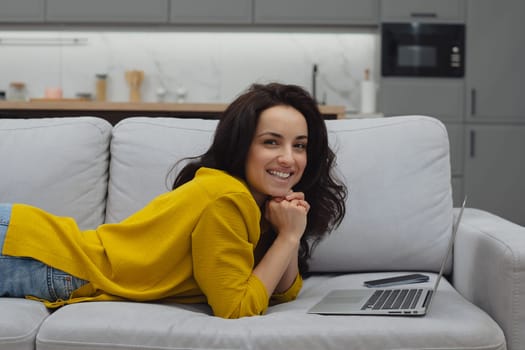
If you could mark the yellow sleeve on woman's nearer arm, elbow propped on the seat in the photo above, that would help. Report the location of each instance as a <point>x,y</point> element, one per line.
<point>223,242</point>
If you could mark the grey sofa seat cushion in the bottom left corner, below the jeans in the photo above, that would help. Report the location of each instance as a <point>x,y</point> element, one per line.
<point>20,321</point>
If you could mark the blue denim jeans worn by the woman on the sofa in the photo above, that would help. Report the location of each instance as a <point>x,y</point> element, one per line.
<point>20,277</point>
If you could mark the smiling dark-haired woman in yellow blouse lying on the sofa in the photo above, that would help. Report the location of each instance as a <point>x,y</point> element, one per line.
<point>235,232</point>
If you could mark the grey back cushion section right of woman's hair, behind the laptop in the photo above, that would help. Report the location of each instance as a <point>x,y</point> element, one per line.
<point>399,208</point>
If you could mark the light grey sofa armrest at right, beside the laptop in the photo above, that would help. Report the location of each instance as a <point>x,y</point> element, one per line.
<point>489,270</point>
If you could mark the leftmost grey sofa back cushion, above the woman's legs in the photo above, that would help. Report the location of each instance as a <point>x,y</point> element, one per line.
<point>58,164</point>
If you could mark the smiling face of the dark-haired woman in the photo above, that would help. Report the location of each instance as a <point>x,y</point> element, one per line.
<point>277,156</point>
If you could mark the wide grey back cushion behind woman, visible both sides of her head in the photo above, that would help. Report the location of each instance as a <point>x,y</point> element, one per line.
<point>399,207</point>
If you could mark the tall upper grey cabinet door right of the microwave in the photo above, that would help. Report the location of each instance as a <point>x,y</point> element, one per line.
<point>495,60</point>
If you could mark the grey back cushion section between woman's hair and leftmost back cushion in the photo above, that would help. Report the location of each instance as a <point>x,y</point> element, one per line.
<point>143,154</point>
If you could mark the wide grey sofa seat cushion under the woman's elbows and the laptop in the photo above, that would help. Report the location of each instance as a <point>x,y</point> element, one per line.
<point>452,323</point>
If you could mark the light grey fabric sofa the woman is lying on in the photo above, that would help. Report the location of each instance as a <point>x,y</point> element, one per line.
<point>399,218</point>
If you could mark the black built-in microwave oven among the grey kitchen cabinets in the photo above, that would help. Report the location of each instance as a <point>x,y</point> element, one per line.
<point>422,50</point>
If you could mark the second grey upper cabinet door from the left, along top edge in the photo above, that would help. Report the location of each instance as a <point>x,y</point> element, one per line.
<point>107,11</point>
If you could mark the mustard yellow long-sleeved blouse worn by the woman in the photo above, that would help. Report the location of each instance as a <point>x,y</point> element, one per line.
<point>194,244</point>
